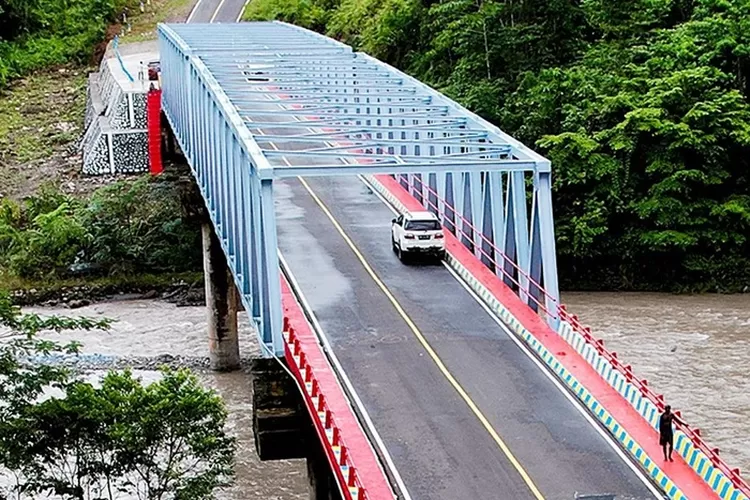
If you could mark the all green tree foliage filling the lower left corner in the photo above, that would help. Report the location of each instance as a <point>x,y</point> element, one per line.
<point>62,435</point>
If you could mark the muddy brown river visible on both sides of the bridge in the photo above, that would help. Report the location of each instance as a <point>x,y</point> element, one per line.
<point>694,349</point>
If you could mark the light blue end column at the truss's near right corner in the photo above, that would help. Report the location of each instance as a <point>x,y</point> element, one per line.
<point>547,243</point>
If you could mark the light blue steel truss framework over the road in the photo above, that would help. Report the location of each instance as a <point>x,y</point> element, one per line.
<point>253,102</point>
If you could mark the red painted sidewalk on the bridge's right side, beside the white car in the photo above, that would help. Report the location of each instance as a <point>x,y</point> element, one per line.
<point>678,471</point>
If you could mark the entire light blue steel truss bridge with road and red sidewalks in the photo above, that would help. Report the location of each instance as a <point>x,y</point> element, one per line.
<point>290,136</point>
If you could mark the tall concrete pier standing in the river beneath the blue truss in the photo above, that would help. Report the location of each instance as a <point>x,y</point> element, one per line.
<point>221,304</point>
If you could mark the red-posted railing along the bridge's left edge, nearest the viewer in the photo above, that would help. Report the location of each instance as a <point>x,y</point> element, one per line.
<point>346,471</point>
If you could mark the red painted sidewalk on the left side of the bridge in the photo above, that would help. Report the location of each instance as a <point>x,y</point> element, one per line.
<point>360,453</point>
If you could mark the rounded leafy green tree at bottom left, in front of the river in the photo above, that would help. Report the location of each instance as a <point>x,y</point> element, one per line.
<point>165,440</point>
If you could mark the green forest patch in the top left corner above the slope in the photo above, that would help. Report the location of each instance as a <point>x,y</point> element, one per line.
<point>35,34</point>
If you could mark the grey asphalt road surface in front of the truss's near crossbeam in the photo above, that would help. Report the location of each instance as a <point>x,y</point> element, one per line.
<point>437,443</point>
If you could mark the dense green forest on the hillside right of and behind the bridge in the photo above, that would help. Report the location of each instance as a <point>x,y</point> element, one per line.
<point>642,106</point>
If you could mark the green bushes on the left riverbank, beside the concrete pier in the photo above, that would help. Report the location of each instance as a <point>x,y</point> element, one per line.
<point>129,227</point>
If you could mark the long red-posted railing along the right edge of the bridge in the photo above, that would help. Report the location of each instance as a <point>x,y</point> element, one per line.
<point>534,292</point>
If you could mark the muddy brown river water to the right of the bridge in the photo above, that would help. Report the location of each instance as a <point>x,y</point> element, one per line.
<point>693,349</point>
